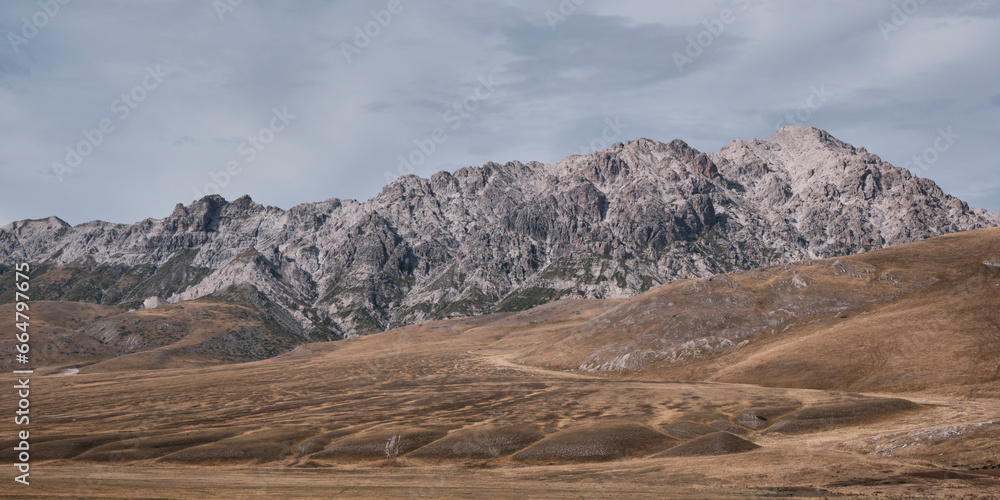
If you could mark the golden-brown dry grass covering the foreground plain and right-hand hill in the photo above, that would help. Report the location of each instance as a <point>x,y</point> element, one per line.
<point>482,407</point>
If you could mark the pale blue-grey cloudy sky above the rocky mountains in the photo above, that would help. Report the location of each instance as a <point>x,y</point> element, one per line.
<point>118,110</point>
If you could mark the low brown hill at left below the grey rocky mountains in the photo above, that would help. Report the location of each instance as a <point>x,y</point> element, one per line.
<point>235,325</point>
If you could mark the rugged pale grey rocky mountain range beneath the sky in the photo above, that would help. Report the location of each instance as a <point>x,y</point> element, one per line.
<point>504,237</point>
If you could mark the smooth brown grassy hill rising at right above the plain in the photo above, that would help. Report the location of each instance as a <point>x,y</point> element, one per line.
<point>920,316</point>
